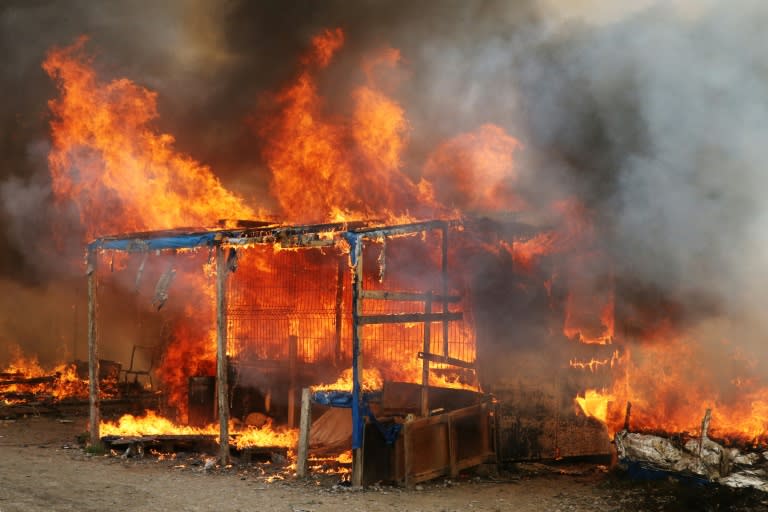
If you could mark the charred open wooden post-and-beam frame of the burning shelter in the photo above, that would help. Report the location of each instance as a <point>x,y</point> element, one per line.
<point>225,241</point>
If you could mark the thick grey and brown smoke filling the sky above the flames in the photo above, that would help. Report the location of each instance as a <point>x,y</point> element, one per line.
<point>653,117</point>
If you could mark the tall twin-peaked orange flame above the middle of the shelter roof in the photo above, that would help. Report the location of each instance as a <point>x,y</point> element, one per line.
<point>327,167</point>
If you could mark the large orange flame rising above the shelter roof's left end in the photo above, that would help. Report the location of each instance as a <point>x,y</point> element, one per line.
<point>120,172</point>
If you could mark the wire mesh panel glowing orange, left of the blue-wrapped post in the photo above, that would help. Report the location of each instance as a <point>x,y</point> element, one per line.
<point>278,294</point>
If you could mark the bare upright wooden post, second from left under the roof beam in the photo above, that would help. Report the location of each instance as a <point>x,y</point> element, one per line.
<point>221,354</point>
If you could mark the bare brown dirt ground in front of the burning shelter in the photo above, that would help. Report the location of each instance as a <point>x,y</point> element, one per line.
<point>42,467</point>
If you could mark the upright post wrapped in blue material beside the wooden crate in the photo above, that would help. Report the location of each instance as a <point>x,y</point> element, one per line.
<point>357,355</point>
